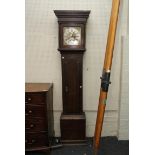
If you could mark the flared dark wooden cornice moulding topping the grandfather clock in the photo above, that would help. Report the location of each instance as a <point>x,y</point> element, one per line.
<point>70,15</point>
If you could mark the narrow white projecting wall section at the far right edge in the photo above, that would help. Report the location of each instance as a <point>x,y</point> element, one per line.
<point>123,121</point>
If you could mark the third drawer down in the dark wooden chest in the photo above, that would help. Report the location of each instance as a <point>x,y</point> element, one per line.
<point>35,124</point>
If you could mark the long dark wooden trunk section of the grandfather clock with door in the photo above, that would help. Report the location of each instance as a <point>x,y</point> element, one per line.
<point>72,83</point>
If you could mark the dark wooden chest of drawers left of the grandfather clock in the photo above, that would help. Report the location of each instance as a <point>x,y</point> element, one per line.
<point>39,128</point>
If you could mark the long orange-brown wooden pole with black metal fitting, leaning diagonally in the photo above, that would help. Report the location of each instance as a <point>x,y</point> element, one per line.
<point>105,80</point>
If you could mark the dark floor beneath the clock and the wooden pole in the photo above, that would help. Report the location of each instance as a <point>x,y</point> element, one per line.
<point>109,146</point>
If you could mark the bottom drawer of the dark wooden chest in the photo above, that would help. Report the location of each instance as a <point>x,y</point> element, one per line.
<point>33,140</point>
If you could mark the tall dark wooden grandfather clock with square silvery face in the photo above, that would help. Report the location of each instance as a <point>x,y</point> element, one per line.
<point>72,30</point>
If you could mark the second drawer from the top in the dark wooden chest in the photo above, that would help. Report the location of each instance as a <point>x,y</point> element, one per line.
<point>35,111</point>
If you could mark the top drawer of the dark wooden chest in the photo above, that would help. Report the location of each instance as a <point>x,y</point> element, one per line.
<point>35,98</point>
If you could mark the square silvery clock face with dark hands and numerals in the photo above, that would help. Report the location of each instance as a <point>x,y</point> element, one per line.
<point>72,35</point>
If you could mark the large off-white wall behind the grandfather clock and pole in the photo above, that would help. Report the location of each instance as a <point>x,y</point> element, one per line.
<point>43,63</point>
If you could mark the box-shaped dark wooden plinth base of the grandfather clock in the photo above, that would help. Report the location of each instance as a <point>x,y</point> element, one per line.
<point>73,129</point>
